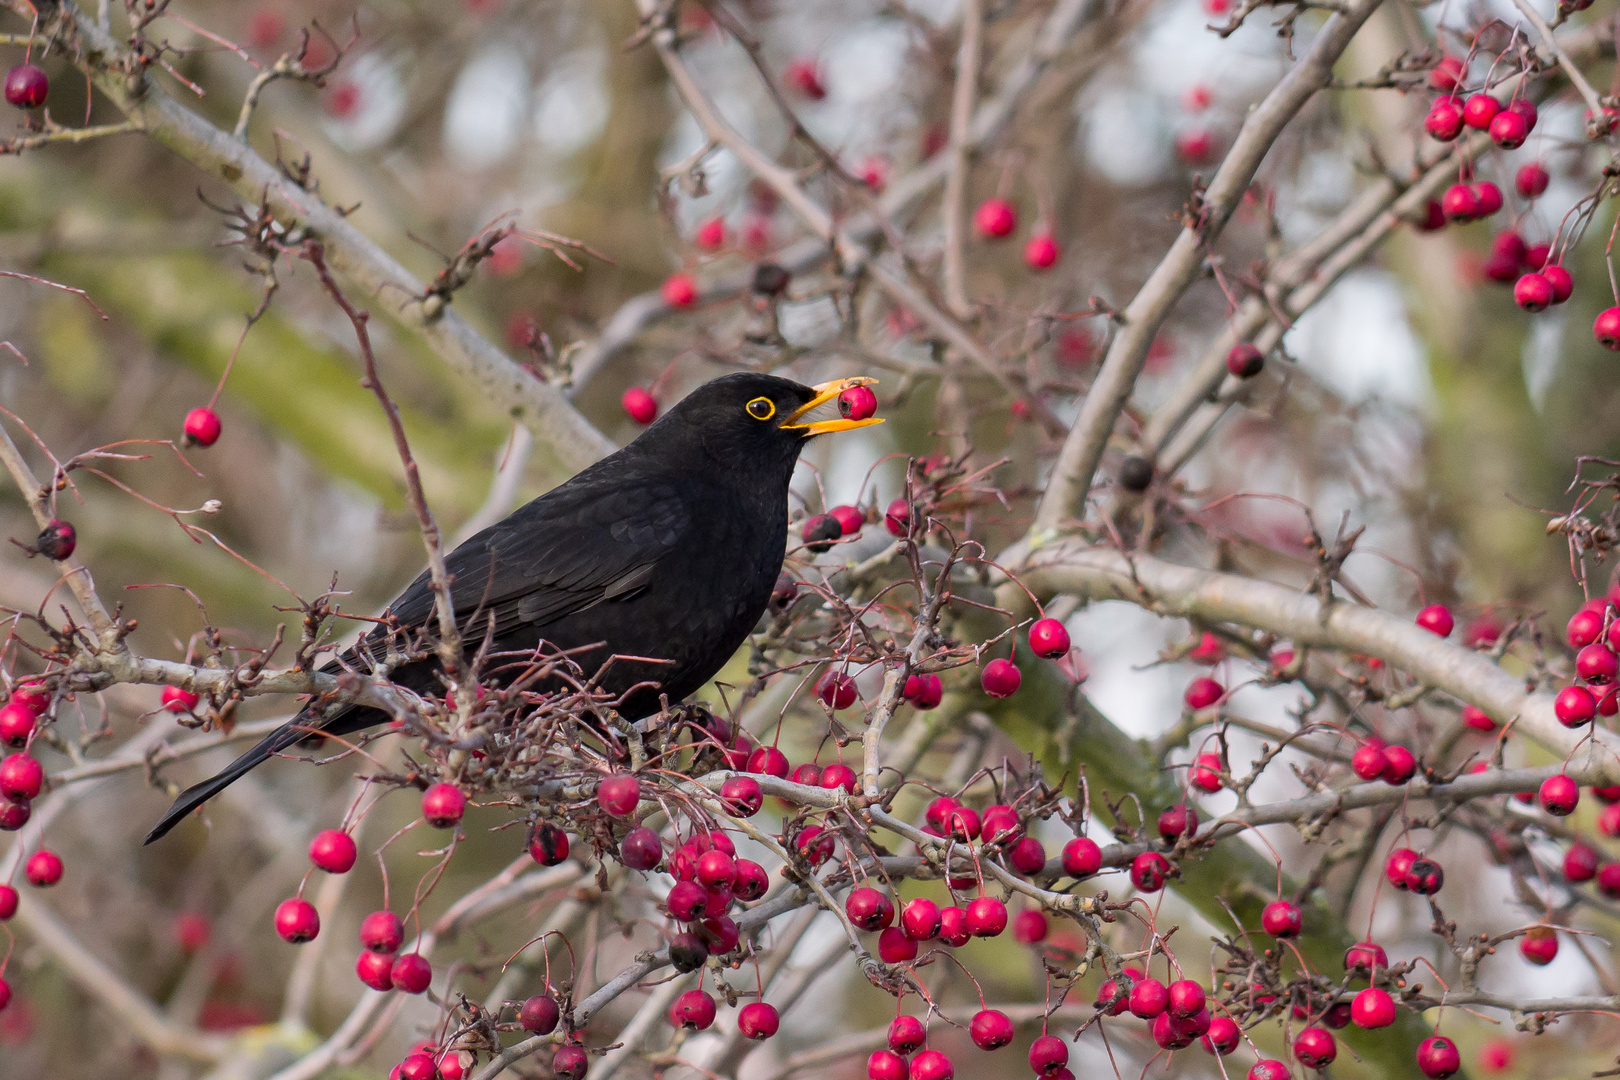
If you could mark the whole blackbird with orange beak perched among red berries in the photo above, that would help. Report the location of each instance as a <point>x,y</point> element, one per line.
<point>667,550</point>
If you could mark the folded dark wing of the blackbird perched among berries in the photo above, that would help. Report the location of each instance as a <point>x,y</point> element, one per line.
<point>574,548</point>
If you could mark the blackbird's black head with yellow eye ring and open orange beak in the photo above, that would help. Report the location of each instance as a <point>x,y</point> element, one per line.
<point>754,420</point>
